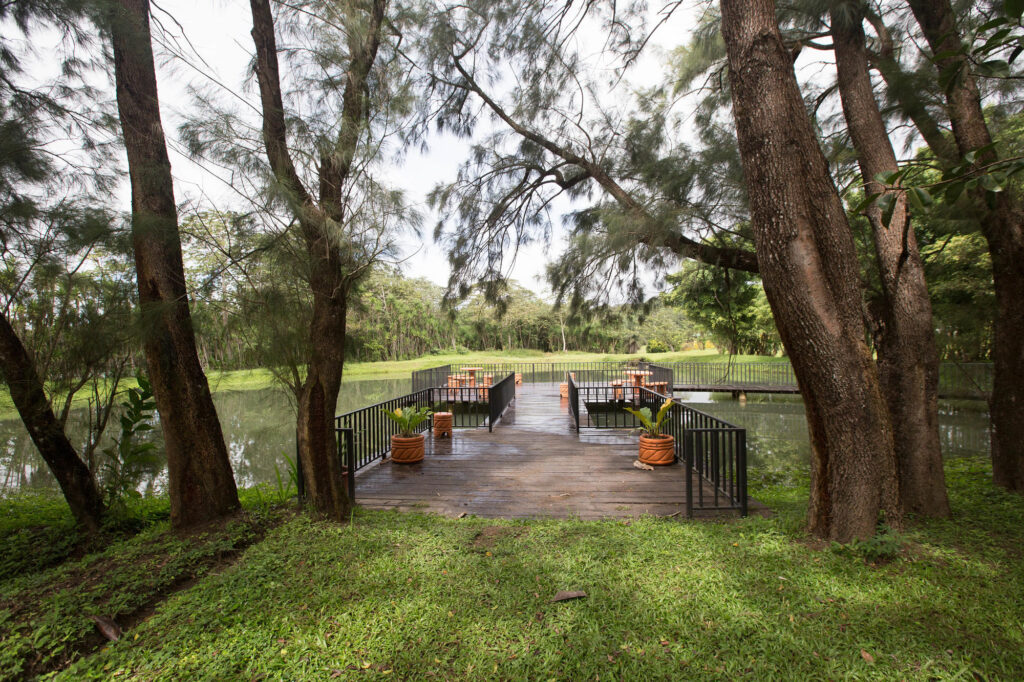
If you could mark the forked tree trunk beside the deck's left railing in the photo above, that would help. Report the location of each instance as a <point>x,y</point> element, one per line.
<point>330,268</point>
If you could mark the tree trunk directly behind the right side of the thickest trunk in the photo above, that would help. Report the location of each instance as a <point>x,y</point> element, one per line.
<point>908,357</point>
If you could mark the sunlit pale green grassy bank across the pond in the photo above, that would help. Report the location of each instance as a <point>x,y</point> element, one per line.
<point>244,380</point>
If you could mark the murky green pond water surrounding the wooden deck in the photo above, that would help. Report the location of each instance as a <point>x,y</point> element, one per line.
<point>260,429</point>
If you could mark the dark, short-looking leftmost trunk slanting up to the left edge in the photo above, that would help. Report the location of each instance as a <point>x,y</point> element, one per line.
<point>27,393</point>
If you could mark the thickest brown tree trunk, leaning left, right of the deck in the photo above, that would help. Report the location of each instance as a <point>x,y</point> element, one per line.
<point>812,276</point>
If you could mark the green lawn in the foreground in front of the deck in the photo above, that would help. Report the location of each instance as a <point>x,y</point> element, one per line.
<point>417,598</point>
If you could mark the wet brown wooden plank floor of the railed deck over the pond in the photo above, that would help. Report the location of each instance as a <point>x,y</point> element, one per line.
<point>533,465</point>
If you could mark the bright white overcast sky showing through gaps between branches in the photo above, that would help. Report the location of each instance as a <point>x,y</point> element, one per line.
<point>220,33</point>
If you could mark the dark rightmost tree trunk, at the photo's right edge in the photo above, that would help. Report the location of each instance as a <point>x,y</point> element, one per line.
<point>1003,225</point>
